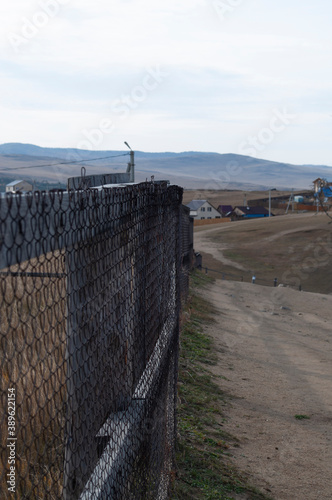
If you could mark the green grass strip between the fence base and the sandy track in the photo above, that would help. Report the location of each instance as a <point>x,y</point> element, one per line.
<point>204,468</point>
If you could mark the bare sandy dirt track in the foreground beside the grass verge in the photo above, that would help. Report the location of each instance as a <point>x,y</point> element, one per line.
<point>275,359</point>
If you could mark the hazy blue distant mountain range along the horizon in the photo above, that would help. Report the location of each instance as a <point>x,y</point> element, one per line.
<point>190,169</point>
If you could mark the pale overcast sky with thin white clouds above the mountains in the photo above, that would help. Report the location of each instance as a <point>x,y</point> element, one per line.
<point>250,77</point>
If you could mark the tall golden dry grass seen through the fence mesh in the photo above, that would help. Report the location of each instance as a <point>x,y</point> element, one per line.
<point>32,345</point>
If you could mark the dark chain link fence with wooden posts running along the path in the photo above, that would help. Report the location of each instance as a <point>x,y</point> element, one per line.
<point>89,305</point>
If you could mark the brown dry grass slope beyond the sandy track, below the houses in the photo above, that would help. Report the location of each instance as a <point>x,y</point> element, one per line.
<point>296,249</point>
